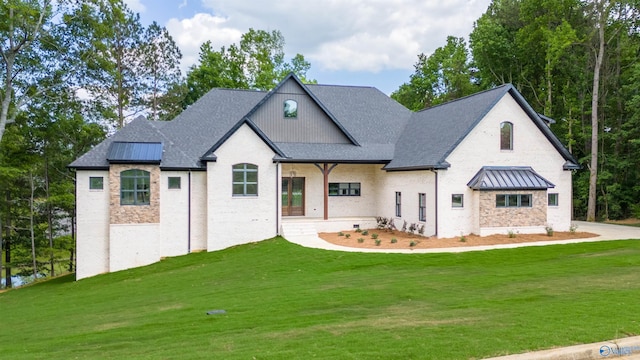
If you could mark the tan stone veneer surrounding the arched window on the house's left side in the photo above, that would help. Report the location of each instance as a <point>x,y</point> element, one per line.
<point>134,214</point>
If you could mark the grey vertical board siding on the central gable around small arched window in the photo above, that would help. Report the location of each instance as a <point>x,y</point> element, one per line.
<point>312,125</point>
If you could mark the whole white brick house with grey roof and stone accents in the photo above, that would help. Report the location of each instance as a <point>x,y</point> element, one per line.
<point>237,165</point>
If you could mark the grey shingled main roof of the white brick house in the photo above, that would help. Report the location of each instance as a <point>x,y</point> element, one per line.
<point>379,129</point>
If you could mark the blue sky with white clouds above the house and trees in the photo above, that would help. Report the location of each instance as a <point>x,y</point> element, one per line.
<point>348,42</point>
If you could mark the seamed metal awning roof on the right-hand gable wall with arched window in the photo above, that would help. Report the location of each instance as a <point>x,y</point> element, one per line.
<point>508,178</point>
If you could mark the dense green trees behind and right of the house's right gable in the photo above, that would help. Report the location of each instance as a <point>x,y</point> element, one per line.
<point>575,61</point>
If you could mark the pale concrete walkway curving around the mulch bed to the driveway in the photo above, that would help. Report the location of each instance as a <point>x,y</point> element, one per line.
<point>605,232</point>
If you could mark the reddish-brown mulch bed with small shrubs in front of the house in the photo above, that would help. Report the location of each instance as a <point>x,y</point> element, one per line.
<point>402,240</point>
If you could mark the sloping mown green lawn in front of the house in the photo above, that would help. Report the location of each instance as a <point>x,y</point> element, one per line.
<point>283,301</point>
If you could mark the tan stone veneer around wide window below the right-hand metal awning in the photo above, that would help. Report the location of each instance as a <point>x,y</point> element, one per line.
<point>492,216</point>
